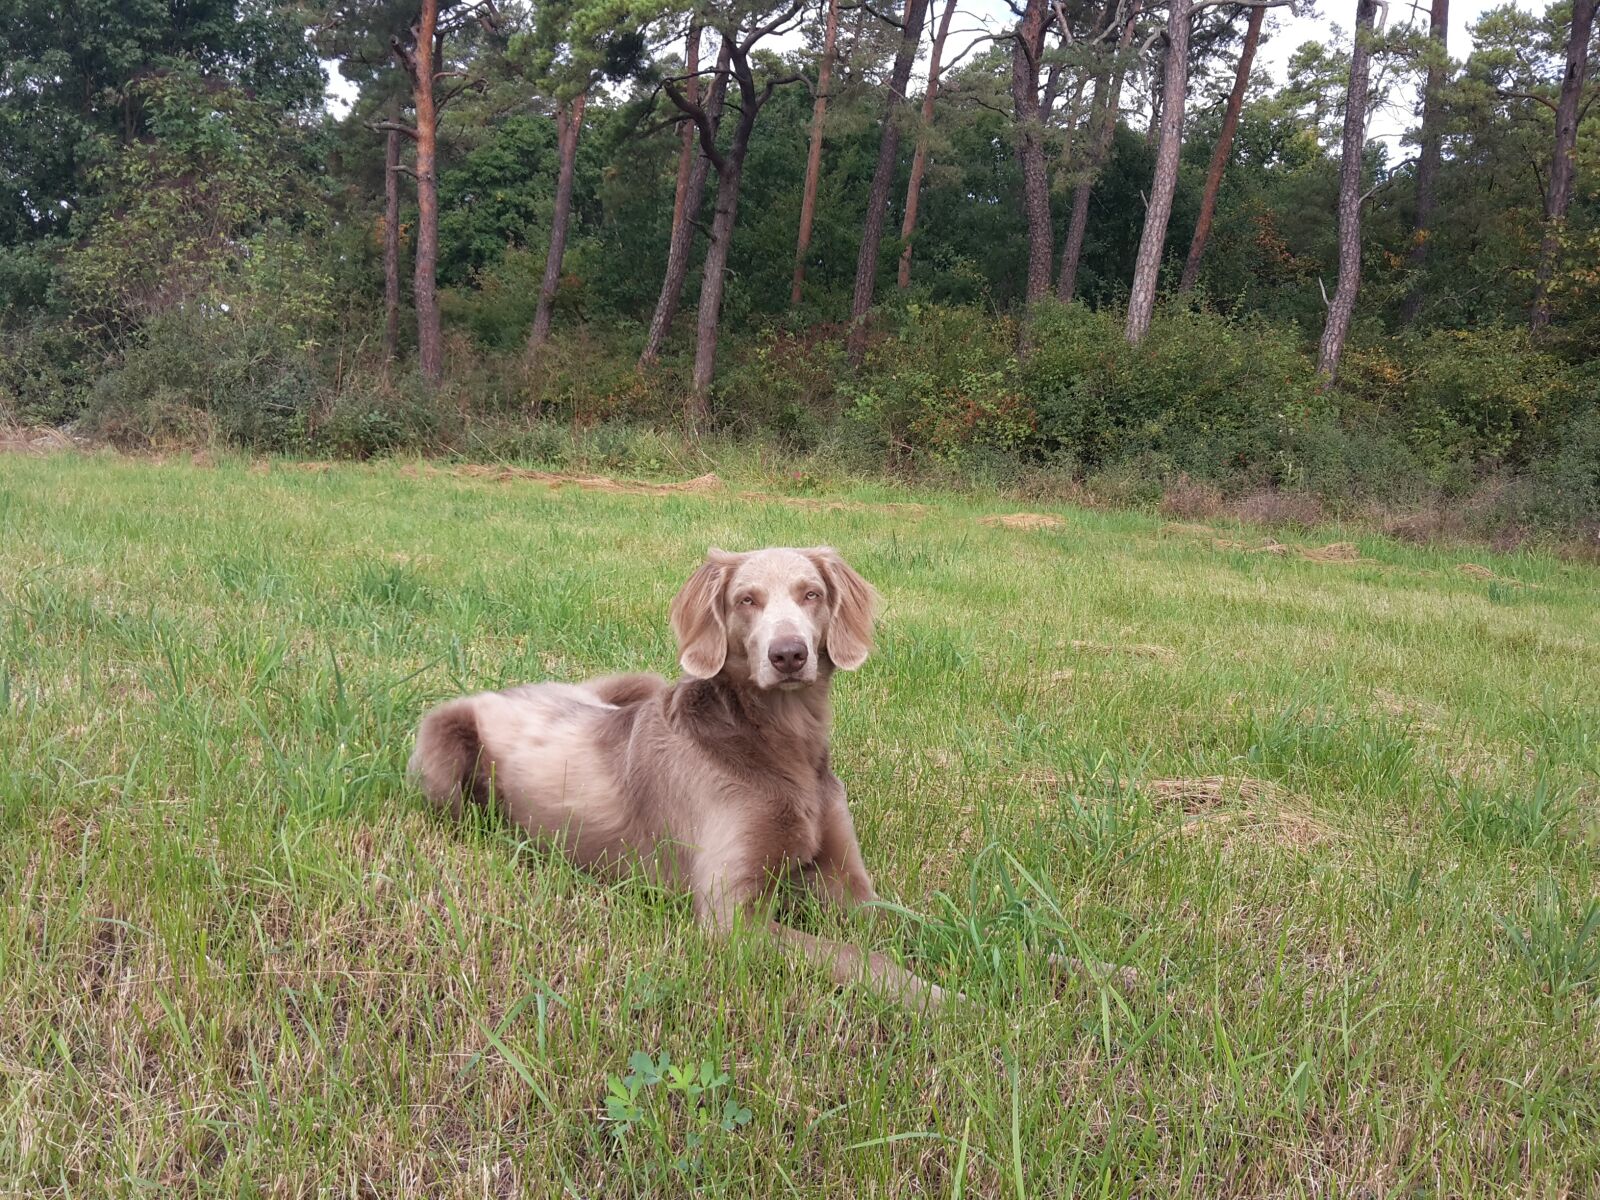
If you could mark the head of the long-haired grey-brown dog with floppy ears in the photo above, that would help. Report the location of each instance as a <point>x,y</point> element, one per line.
<point>769,617</point>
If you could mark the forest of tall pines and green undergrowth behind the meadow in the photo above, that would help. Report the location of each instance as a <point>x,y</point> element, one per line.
<point>1078,247</point>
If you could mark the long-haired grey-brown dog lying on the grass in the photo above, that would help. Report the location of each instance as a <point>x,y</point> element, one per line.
<point>719,783</point>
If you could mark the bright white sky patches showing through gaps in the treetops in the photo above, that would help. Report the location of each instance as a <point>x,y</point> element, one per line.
<point>1329,22</point>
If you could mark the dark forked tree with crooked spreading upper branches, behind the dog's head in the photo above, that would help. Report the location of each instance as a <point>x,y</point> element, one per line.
<point>730,167</point>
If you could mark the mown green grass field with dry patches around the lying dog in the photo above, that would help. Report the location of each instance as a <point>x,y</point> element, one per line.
<point>1342,820</point>
